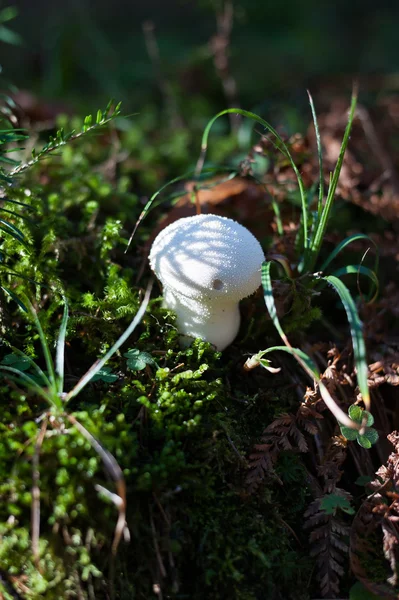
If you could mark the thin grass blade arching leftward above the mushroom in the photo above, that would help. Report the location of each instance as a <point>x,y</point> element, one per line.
<point>281,146</point>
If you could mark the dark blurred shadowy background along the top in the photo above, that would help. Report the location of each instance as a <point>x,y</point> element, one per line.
<point>81,51</point>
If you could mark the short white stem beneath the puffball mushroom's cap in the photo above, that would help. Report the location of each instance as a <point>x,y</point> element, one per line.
<point>216,322</point>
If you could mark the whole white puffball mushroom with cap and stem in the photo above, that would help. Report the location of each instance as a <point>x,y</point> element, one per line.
<point>207,264</point>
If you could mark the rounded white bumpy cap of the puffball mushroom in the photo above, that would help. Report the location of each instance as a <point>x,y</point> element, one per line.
<point>208,257</point>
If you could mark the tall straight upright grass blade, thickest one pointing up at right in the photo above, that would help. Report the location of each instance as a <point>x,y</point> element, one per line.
<point>320,231</point>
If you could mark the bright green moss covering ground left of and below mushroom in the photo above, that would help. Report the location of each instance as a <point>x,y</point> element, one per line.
<point>180,428</point>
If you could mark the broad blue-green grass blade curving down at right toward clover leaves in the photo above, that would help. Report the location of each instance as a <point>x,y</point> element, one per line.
<point>356,328</point>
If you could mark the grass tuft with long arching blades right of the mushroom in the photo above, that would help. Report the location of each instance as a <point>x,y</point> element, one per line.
<point>313,225</point>
